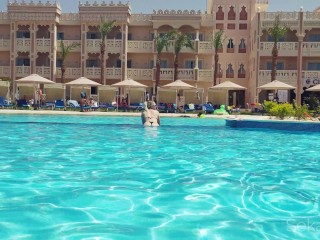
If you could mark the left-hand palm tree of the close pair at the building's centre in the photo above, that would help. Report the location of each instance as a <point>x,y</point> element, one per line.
<point>162,41</point>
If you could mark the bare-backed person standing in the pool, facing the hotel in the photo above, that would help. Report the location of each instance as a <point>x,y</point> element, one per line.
<point>150,116</point>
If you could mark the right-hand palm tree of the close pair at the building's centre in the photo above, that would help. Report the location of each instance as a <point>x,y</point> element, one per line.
<point>181,40</point>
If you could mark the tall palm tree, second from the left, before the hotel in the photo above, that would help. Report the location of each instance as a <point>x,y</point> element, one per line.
<point>104,28</point>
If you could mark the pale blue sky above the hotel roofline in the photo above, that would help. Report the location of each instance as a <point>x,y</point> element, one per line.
<point>147,6</point>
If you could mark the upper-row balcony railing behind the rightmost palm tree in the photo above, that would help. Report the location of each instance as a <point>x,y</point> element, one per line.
<point>285,48</point>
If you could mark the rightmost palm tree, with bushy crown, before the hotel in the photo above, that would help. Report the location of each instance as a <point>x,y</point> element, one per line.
<point>277,32</point>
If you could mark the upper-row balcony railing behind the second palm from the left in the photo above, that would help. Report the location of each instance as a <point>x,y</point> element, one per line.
<point>112,46</point>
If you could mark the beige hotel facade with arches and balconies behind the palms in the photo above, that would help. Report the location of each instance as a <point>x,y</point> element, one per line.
<point>30,35</point>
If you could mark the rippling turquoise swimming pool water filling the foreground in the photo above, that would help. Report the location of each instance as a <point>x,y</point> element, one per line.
<point>69,177</point>
